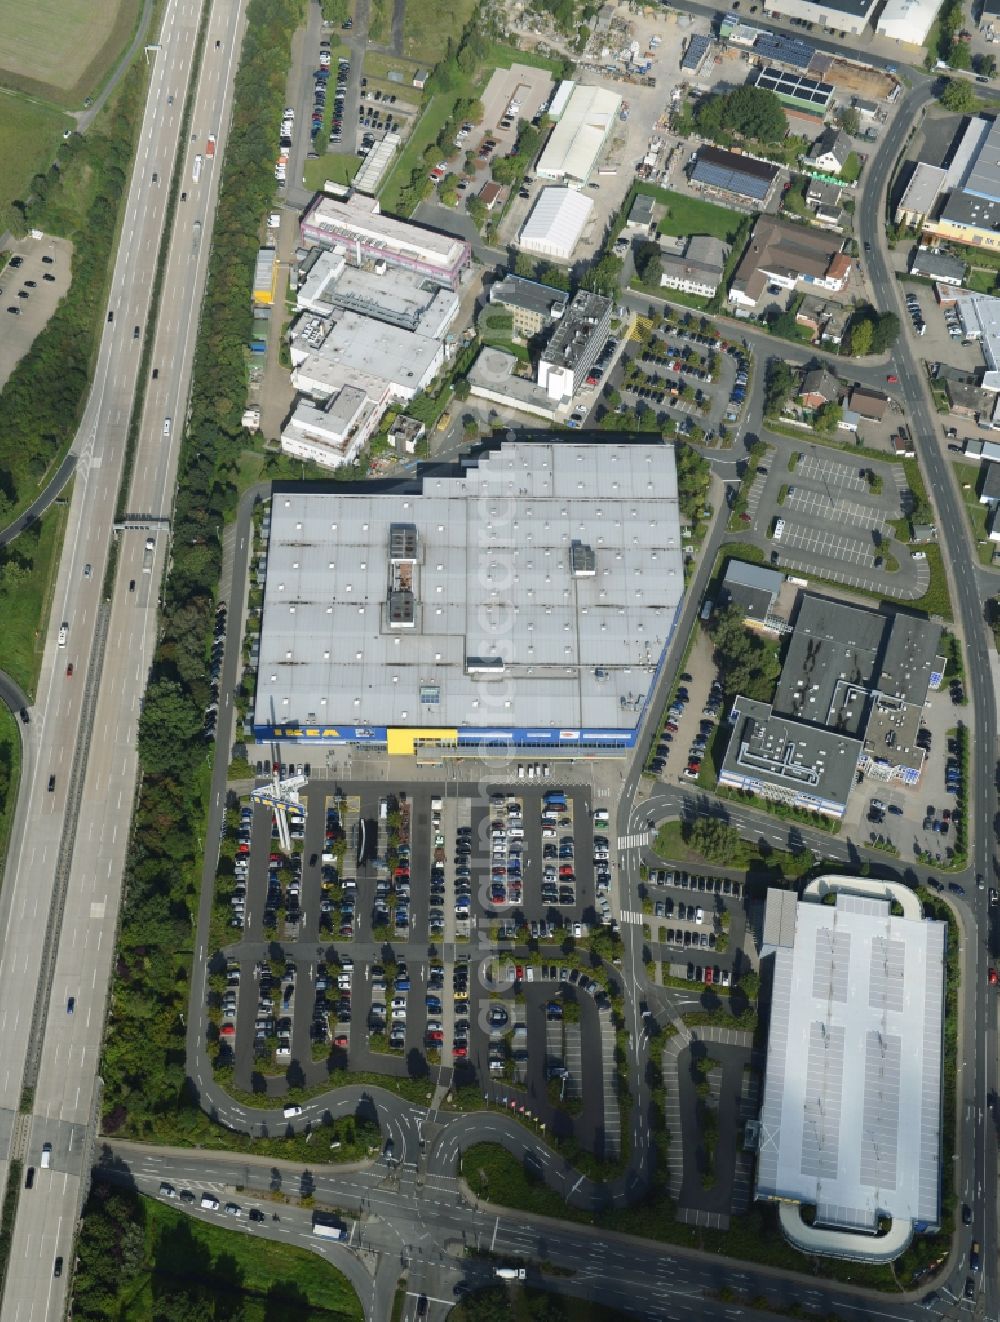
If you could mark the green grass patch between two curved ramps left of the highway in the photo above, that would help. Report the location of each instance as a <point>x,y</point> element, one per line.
<point>26,594</point>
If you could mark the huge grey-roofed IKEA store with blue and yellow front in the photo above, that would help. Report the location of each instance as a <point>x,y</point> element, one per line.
<point>524,601</point>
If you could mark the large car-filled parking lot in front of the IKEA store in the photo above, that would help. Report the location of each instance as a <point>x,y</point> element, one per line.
<point>353,949</point>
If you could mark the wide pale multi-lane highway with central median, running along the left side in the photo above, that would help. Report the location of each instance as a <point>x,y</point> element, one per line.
<point>68,853</point>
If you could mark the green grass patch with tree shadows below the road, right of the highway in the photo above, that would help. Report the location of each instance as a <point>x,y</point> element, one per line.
<point>232,1266</point>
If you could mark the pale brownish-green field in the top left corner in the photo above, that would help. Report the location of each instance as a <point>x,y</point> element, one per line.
<point>63,50</point>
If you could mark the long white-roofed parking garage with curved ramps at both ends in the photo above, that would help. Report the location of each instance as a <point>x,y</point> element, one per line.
<point>853,1110</point>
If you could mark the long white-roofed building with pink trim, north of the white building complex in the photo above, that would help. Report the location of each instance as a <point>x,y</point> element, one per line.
<point>366,235</point>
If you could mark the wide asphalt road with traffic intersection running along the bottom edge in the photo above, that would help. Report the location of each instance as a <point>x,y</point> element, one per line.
<point>427,1220</point>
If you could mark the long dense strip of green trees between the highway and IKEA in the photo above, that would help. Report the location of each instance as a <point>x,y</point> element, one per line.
<point>145,1053</point>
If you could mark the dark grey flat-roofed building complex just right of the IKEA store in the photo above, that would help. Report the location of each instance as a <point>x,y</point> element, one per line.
<point>850,699</point>
